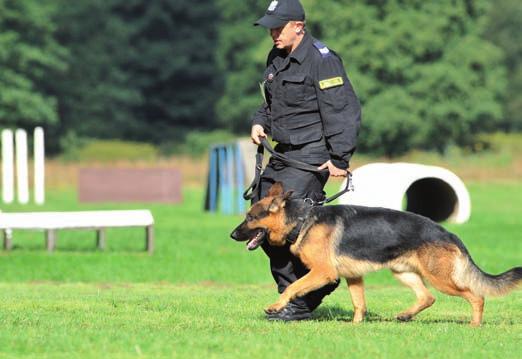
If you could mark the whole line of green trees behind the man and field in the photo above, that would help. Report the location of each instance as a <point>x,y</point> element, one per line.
<point>429,74</point>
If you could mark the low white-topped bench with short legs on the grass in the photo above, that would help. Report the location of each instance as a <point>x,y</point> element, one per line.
<point>51,222</point>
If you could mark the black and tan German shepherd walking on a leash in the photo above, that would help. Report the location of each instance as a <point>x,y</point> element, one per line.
<point>351,241</point>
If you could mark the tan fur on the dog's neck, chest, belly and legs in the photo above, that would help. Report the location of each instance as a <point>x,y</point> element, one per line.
<point>438,264</point>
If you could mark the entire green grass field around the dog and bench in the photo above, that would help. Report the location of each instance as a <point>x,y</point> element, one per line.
<point>201,294</point>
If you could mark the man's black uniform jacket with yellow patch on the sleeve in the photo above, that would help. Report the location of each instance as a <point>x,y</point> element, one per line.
<point>308,98</point>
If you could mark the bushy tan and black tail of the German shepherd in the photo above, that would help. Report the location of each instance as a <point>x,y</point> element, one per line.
<point>467,274</point>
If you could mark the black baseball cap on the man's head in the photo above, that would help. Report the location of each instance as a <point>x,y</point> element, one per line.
<point>279,12</point>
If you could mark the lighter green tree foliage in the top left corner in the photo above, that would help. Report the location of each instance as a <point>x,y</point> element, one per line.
<point>30,56</point>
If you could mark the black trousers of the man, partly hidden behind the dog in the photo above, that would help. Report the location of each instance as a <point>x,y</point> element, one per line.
<point>285,267</point>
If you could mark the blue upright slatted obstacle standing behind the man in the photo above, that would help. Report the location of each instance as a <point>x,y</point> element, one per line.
<point>226,179</point>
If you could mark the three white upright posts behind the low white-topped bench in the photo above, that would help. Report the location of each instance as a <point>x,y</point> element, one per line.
<point>15,147</point>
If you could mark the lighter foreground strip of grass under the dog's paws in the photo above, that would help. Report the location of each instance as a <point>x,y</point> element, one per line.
<point>196,321</point>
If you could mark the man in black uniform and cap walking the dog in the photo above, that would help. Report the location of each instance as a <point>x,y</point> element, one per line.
<point>311,110</point>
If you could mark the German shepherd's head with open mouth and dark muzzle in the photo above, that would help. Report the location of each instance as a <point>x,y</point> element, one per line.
<point>266,219</point>
